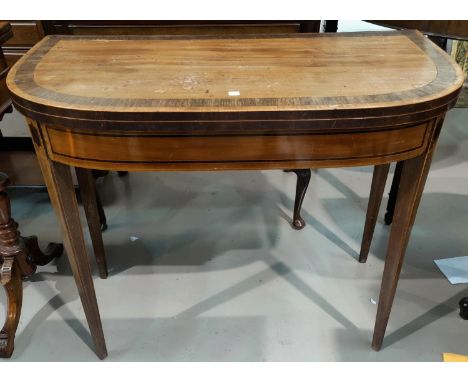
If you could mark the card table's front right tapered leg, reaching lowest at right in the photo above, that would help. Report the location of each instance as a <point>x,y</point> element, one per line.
<point>413,177</point>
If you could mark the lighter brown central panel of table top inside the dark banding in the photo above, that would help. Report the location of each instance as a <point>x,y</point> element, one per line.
<point>208,69</point>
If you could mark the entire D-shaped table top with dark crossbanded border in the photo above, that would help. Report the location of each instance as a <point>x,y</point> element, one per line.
<point>300,64</point>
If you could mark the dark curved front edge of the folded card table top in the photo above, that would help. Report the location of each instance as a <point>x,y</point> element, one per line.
<point>245,123</point>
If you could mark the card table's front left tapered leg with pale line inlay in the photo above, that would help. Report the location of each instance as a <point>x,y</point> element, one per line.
<point>62,195</point>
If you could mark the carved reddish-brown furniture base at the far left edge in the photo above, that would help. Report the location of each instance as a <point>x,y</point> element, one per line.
<point>19,257</point>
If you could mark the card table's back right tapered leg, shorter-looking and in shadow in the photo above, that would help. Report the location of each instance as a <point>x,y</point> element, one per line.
<point>377,188</point>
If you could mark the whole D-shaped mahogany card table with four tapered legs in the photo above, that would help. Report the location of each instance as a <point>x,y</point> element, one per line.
<point>180,103</point>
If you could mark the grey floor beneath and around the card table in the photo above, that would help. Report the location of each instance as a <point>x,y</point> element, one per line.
<point>217,273</point>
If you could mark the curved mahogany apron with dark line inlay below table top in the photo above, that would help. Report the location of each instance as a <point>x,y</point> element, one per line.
<point>151,151</point>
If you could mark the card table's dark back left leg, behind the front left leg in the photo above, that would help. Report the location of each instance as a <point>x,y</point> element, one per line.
<point>90,199</point>
